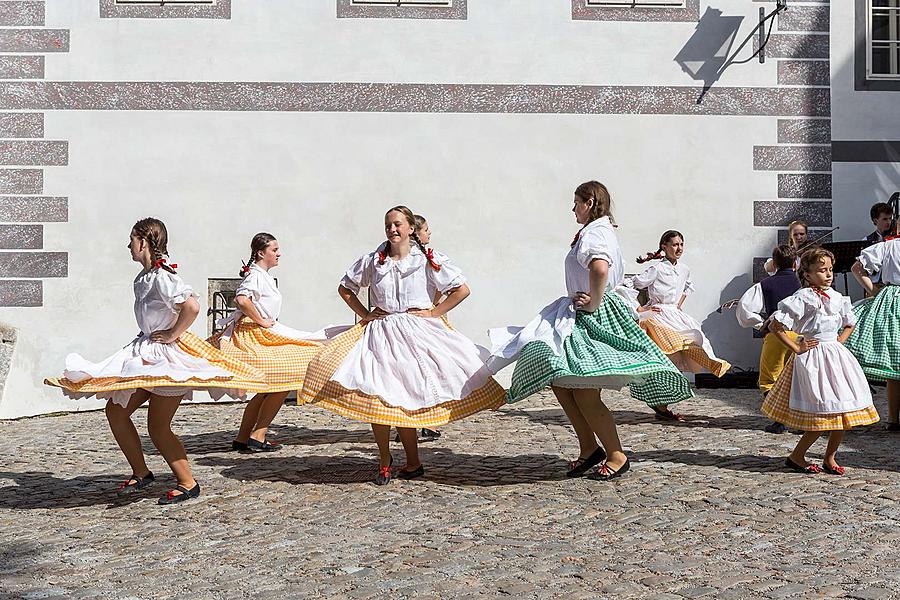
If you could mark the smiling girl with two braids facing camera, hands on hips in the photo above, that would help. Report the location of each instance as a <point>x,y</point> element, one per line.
<point>402,366</point>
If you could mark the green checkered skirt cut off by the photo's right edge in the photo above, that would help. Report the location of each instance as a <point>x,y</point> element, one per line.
<point>876,340</point>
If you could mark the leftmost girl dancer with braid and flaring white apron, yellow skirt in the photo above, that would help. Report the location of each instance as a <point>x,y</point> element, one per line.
<point>160,366</point>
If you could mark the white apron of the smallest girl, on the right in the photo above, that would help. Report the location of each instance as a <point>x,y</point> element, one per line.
<point>828,379</point>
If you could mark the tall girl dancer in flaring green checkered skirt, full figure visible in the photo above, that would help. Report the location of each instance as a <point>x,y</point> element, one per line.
<point>588,340</point>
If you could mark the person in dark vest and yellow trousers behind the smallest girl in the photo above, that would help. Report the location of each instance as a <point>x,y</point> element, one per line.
<point>754,309</point>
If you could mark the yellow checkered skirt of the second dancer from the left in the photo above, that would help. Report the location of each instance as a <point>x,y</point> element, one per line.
<point>282,359</point>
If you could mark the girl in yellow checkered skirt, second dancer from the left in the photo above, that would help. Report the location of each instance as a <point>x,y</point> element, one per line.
<point>253,335</point>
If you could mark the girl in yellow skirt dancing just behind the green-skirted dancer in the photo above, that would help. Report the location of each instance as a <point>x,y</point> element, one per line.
<point>678,335</point>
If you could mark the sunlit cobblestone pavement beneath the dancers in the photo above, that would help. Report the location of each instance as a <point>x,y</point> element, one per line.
<point>707,511</point>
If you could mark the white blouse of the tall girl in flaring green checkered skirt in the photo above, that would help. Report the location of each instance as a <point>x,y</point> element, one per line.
<point>596,240</point>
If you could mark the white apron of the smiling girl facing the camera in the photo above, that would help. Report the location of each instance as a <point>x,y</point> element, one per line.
<point>413,363</point>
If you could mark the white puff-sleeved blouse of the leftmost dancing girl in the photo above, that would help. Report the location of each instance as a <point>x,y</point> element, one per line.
<point>156,293</point>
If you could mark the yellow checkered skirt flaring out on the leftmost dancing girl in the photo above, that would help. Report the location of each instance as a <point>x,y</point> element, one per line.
<point>244,377</point>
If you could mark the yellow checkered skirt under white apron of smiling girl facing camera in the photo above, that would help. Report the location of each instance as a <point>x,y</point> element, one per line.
<point>320,389</point>
